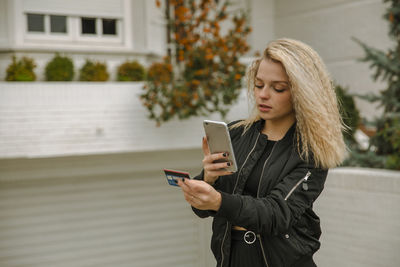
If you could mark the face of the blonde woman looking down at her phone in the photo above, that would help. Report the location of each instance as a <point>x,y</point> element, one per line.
<point>272,93</point>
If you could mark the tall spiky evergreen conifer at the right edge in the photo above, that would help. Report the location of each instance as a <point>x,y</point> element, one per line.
<point>385,144</point>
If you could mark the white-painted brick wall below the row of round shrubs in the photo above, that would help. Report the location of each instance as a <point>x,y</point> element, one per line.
<point>53,119</point>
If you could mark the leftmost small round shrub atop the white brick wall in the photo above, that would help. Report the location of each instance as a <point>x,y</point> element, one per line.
<point>21,70</point>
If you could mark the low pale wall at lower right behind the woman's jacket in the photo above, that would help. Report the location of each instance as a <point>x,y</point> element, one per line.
<point>360,218</point>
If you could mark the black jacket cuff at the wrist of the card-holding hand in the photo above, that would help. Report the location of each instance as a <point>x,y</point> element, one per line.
<point>230,206</point>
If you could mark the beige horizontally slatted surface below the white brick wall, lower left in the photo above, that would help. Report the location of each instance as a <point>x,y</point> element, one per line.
<point>114,219</point>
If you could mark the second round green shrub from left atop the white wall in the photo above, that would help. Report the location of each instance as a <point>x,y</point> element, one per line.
<point>60,69</point>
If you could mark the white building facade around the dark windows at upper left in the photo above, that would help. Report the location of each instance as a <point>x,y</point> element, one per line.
<point>141,38</point>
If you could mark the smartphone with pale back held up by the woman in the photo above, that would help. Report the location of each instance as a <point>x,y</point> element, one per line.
<point>219,141</point>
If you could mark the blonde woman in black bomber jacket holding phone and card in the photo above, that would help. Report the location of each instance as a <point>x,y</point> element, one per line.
<point>263,213</point>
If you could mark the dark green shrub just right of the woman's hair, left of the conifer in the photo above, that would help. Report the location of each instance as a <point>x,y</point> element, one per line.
<point>349,112</point>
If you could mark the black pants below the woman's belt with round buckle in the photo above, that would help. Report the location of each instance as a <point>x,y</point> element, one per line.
<point>250,255</point>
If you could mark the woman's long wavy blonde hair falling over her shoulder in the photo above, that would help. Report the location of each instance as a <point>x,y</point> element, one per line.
<point>319,124</point>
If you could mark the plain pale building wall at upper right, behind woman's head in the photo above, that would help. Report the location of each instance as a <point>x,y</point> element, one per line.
<point>328,26</point>
